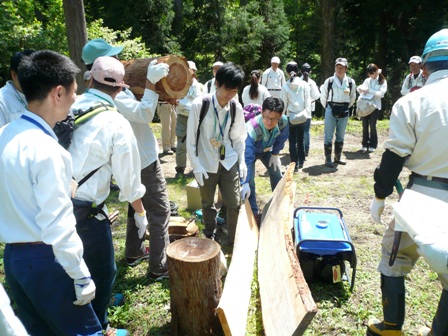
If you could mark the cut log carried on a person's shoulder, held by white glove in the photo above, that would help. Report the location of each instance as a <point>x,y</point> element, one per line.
<point>174,86</point>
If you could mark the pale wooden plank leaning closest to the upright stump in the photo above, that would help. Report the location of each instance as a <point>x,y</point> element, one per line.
<point>234,303</point>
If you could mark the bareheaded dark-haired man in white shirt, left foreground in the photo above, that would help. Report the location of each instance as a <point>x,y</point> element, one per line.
<point>43,260</point>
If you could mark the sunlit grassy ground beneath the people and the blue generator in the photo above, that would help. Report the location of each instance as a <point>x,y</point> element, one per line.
<point>147,307</point>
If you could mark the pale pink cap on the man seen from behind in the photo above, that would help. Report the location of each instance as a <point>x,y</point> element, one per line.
<point>109,71</point>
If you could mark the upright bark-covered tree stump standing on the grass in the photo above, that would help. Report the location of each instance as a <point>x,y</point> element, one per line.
<point>195,286</point>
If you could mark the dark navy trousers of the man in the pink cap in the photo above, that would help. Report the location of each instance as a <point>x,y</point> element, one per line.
<point>99,257</point>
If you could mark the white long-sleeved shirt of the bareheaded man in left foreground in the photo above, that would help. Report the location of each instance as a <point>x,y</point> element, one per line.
<point>35,205</point>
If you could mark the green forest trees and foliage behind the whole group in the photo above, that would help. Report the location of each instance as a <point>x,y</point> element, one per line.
<point>246,32</point>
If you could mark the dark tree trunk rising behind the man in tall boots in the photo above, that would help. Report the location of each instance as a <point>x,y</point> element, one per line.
<point>327,61</point>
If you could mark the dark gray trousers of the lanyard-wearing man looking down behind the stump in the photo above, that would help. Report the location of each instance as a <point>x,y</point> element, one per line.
<point>229,184</point>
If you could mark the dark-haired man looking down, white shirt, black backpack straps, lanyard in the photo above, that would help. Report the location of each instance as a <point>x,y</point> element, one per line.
<point>216,148</point>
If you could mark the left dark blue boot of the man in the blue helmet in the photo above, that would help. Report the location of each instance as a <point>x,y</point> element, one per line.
<point>393,300</point>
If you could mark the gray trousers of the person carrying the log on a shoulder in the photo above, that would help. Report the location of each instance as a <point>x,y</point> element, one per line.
<point>158,211</point>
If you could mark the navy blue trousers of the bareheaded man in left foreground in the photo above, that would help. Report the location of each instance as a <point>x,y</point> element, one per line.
<point>44,293</point>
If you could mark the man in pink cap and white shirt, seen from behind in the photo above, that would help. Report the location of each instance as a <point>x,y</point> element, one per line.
<point>104,141</point>
